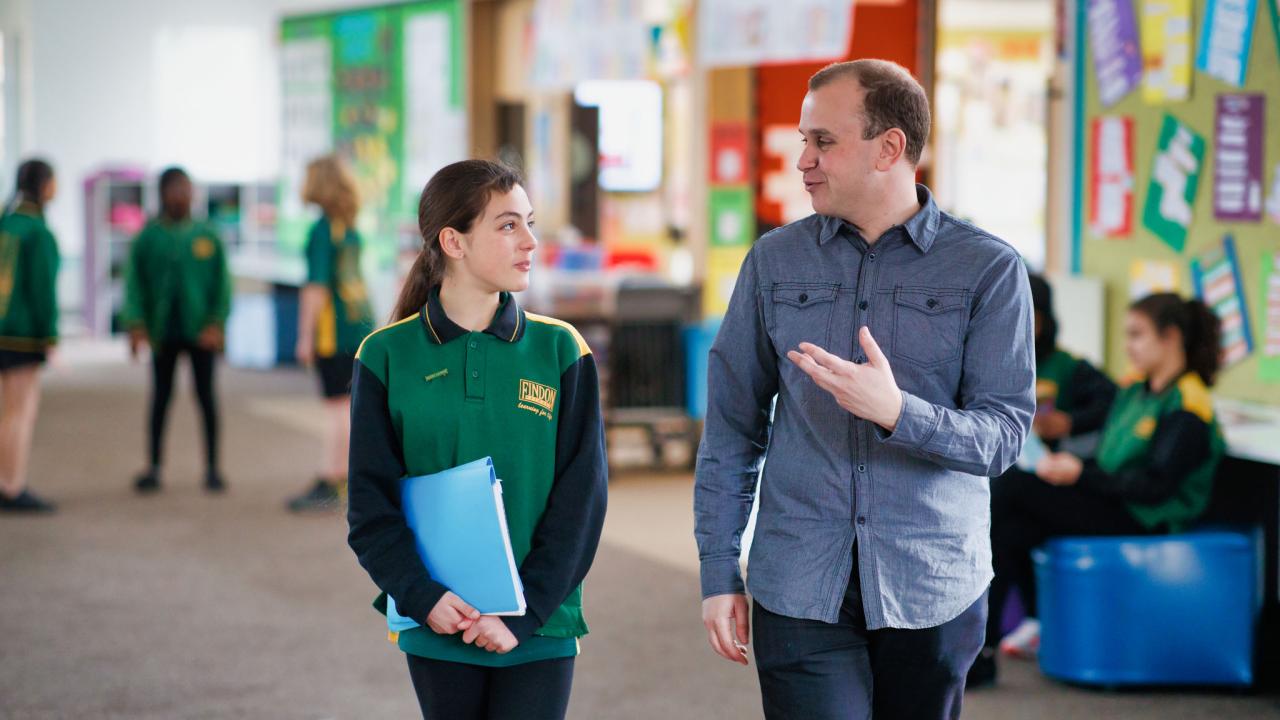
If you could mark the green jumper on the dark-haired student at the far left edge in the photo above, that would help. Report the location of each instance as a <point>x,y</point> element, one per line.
<point>29,281</point>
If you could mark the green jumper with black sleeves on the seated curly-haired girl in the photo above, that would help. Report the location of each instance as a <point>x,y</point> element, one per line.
<point>1141,434</point>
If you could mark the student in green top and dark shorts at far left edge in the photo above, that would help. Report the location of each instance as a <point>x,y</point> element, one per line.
<point>29,327</point>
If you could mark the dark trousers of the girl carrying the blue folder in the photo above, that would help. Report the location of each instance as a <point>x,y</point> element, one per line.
<point>455,691</point>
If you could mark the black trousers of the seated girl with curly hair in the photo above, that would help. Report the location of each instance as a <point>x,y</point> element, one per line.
<point>1025,513</point>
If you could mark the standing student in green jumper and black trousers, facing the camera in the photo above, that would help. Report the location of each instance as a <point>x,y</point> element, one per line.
<point>177,299</point>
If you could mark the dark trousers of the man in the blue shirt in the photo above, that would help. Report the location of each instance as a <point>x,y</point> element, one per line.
<point>812,671</point>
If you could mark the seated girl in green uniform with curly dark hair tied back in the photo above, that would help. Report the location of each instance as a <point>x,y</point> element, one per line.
<point>1155,462</point>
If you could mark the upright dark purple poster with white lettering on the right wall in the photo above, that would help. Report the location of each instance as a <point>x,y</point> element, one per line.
<point>1238,134</point>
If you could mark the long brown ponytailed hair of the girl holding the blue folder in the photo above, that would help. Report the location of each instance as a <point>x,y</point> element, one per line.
<point>455,198</point>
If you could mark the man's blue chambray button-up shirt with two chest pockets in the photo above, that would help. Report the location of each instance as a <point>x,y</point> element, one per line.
<point>952,309</point>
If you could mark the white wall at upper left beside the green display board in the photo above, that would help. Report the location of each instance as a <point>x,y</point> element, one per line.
<point>148,84</point>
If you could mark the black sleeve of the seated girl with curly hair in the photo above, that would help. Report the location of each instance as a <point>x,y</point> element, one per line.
<point>1181,444</point>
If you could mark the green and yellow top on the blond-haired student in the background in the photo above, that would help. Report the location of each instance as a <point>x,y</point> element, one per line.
<point>333,261</point>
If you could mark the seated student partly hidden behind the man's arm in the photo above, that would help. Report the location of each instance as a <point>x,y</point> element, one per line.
<point>1072,402</point>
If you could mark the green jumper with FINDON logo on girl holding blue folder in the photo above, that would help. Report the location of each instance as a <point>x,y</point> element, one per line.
<point>429,397</point>
